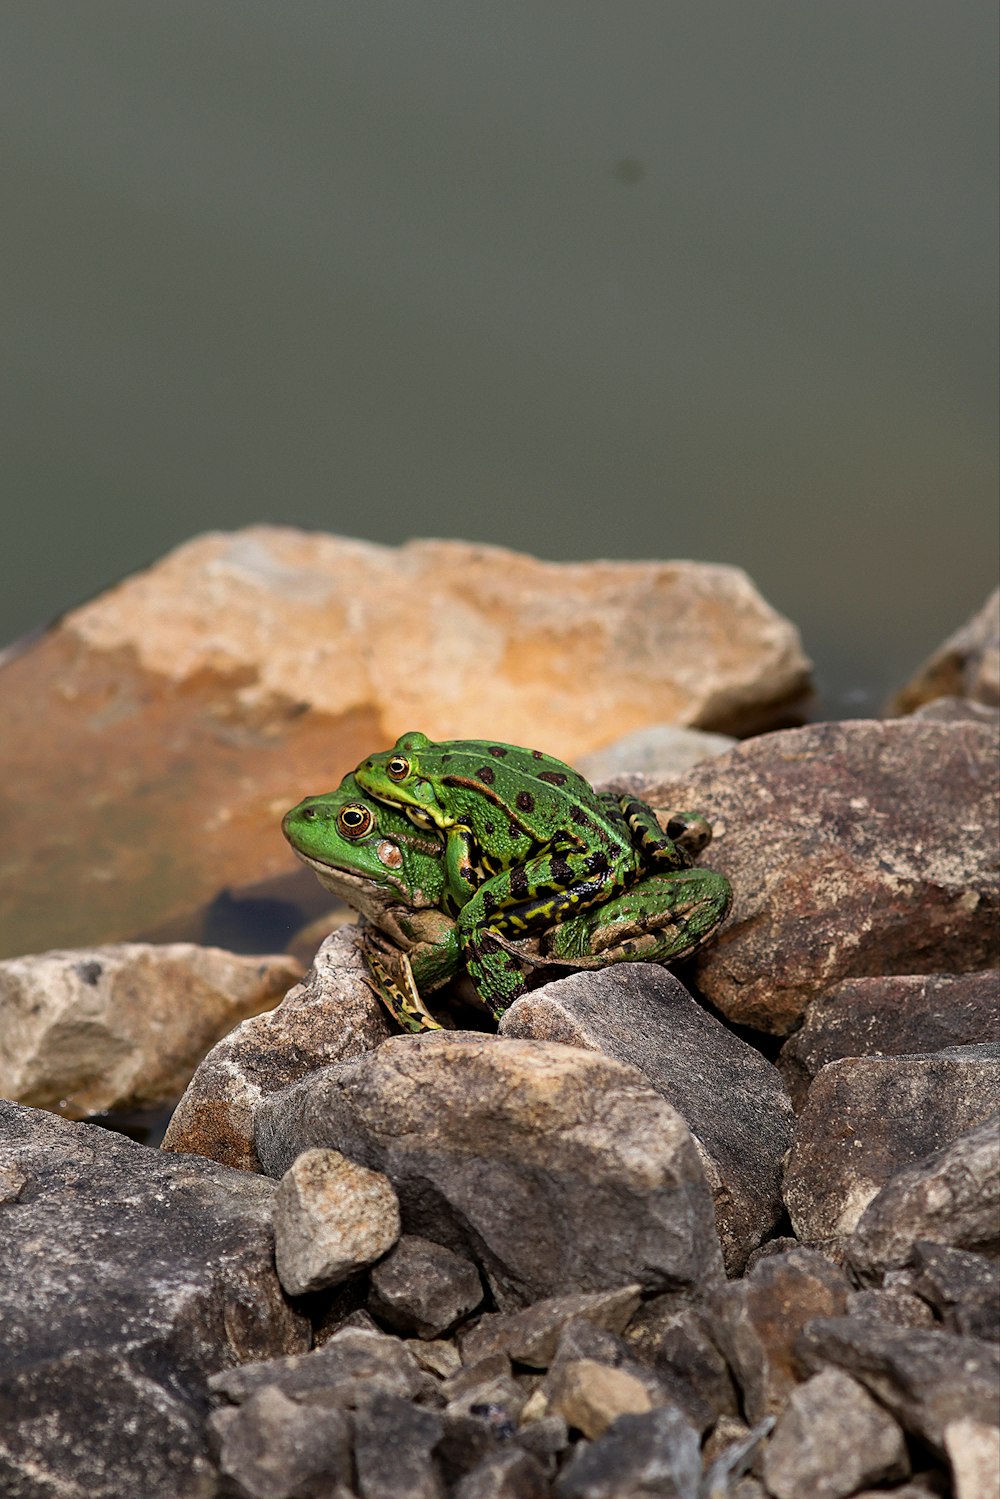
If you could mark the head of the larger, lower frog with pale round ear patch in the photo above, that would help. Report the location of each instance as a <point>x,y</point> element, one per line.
<point>364,851</point>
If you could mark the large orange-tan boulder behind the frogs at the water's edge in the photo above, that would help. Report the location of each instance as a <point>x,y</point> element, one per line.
<point>154,738</point>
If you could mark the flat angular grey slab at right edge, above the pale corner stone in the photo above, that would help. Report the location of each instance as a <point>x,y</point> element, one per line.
<point>926,1378</point>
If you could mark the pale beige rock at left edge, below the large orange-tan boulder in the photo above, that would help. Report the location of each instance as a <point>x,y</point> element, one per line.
<point>124,1028</point>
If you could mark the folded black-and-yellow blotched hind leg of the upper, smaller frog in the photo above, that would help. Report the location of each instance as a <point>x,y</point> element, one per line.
<point>528,900</point>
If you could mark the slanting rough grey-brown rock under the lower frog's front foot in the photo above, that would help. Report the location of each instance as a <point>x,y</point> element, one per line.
<point>329,1017</point>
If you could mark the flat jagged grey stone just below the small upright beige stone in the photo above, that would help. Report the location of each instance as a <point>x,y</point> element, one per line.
<point>332,1375</point>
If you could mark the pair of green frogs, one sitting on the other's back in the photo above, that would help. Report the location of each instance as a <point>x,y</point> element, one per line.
<point>533,864</point>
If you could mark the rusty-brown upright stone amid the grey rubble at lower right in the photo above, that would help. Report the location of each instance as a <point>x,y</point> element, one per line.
<point>756,1323</point>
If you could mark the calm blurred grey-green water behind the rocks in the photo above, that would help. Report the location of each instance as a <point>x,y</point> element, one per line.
<point>710,280</point>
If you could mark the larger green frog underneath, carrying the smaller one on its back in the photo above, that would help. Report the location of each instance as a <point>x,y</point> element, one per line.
<point>373,857</point>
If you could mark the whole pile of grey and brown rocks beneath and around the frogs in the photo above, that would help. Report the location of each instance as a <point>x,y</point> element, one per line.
<point>726,1234</point>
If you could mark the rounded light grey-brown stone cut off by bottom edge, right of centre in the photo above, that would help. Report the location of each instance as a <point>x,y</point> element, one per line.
<point>830,1440</point>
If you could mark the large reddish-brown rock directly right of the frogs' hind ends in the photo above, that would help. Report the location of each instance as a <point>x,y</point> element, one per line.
<point>854,849</point>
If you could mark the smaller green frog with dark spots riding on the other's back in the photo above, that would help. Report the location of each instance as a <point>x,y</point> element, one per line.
<point>528,843</point>
